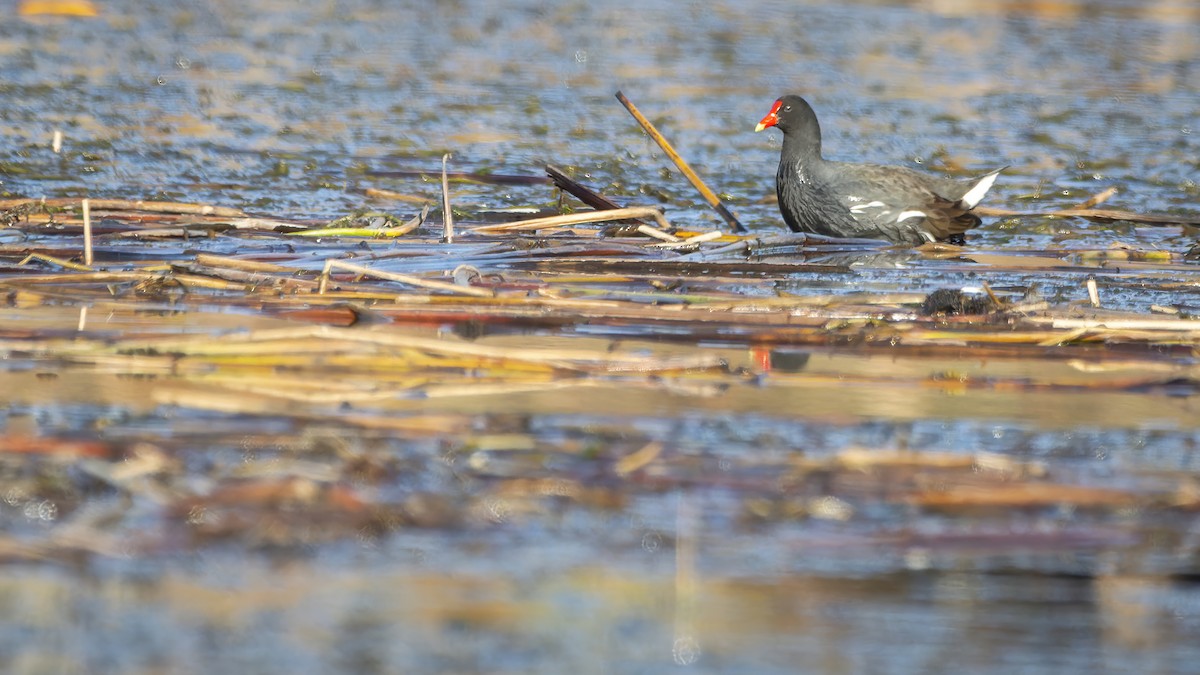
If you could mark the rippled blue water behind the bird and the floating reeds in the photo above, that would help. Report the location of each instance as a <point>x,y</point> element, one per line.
<point>283,106</point>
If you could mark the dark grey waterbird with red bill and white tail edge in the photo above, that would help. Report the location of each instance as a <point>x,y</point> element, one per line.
<point>865,201</point>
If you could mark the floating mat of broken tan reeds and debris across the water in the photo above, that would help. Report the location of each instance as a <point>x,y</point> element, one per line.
<point>214,377</point>
